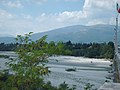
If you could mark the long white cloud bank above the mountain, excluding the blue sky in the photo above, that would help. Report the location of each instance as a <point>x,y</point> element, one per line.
<point>94,12</point>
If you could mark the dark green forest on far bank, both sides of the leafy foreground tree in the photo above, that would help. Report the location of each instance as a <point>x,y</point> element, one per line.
<point>90,50</point>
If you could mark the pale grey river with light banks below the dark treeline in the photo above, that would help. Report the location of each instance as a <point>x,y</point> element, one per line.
<point>88,70</point>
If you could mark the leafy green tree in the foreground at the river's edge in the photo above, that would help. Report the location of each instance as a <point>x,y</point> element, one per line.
<point>30,66</point>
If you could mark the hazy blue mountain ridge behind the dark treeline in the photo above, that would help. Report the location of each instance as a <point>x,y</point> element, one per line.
<point>76,33</point>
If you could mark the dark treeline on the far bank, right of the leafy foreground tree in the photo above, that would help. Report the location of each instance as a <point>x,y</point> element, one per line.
<point>91,50</point>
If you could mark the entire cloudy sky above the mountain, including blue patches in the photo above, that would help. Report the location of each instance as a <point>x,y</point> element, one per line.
<point>23,16</point>
